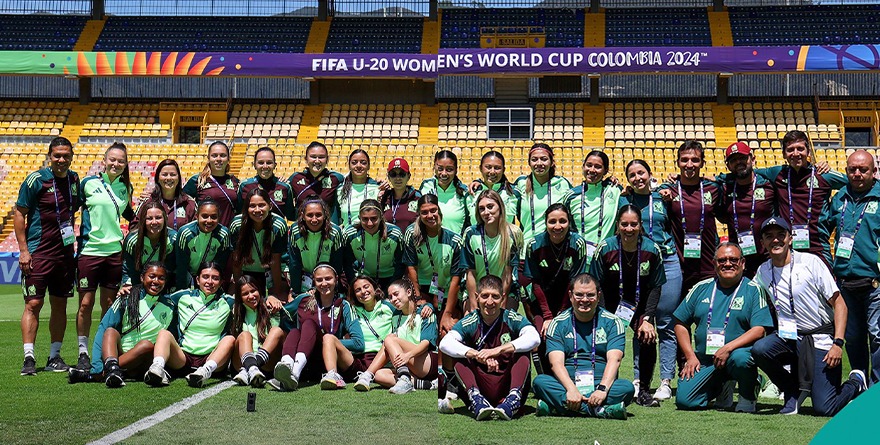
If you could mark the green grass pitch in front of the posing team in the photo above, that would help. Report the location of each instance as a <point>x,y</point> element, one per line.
<point>46,408</point>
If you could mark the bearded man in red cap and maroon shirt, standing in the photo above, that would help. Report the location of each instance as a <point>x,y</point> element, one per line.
<point>748,202</point>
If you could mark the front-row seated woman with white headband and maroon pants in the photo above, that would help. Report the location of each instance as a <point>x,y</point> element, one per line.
<point>323,319</point>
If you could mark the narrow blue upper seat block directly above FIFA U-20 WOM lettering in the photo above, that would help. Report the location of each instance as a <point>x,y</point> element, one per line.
<point>371,35</point>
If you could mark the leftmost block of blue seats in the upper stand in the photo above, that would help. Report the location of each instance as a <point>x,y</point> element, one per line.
<point>40,32</point>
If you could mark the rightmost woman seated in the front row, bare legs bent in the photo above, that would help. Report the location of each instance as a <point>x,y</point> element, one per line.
<point>411,349</point>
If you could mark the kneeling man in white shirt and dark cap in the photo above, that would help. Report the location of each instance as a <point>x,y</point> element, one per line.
<point>811,327</point>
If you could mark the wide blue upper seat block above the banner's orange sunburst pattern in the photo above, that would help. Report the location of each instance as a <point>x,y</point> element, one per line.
<point>235,34</point>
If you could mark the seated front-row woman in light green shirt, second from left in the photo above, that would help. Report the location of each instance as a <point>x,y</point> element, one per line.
<point>201,344</point>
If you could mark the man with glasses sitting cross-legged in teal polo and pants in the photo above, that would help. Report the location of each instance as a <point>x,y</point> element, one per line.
<point>585,342</point>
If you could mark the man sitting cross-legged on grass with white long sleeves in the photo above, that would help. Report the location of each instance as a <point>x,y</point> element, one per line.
<point>491,348</point>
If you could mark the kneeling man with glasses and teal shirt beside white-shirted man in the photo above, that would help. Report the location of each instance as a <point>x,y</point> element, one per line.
<point>730,313</point>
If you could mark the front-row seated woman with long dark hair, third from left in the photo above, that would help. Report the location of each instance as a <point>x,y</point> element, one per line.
<point>257,333</point>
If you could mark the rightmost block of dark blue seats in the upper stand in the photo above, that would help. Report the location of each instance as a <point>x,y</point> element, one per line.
<point>805,25</point>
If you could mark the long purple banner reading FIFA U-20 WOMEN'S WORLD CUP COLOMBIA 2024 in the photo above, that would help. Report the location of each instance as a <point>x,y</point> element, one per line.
<point>536,61</point>
